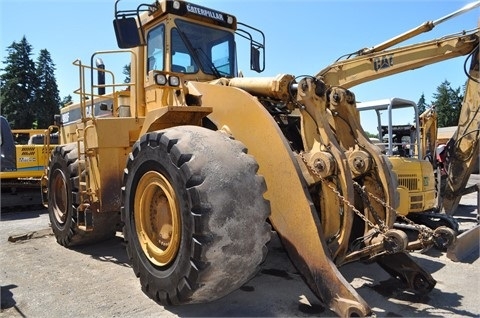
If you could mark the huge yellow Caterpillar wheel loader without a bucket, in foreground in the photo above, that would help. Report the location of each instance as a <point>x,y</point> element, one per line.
<point>198,164</point>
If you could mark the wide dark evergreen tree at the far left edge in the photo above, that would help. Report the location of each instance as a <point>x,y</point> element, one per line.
<point>18,84</point>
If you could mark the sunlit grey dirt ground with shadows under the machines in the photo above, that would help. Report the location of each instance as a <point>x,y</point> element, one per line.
<point>40,278</point>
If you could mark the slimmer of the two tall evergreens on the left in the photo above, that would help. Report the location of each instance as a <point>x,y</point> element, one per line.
<point>47,101</point>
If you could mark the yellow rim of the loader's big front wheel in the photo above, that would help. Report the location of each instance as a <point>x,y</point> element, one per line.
<point>157,218</point>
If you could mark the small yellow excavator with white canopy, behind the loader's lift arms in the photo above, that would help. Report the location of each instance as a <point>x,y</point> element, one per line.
<point>403,146</point>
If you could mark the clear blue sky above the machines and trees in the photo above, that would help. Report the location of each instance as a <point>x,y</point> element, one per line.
<point>302,36</point>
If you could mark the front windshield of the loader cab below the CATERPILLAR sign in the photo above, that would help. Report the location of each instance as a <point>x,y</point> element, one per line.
<point>195,46</point>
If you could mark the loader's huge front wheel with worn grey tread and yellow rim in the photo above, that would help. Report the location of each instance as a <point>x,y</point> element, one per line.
<point>194,213</point>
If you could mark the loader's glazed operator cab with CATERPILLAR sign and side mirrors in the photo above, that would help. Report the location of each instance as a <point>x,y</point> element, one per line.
<point>186,38</point>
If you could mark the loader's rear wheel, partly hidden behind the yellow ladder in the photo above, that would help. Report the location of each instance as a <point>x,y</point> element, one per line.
<point>63,200</point>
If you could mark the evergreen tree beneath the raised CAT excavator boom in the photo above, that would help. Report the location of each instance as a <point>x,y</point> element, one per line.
<point>448,103</point>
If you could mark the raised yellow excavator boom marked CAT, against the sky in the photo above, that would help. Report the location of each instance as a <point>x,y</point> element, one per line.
<point>380,61</point>
